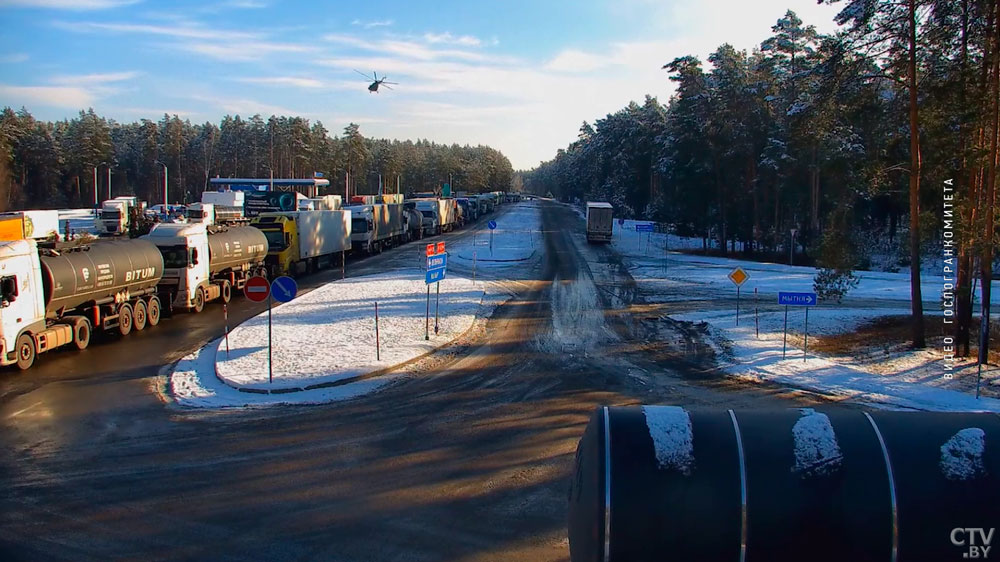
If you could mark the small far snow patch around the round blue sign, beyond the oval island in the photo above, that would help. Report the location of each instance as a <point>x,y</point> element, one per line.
<point>517,239</point>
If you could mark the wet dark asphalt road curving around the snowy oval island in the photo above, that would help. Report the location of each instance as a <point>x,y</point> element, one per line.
<point>468,459</point>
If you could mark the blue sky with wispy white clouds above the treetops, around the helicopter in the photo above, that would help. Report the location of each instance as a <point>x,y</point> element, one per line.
<point>518,75</point>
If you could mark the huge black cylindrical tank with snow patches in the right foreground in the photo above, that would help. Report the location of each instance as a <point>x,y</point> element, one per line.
<point>664,483</point>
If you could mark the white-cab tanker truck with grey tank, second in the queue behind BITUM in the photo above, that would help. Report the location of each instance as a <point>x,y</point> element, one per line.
<point>203,263</point>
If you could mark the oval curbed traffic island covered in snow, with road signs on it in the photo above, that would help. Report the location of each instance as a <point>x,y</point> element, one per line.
<point>328,335</point>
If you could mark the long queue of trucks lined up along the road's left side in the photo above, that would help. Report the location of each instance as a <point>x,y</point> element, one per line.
<point>55,294</point>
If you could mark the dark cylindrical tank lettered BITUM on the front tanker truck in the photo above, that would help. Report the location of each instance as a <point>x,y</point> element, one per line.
<point>98,272</point>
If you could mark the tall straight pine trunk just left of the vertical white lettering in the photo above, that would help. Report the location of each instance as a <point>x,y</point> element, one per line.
<point>916,301</point>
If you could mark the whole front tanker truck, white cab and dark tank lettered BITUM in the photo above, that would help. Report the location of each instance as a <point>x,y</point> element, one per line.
<point>53,298</point>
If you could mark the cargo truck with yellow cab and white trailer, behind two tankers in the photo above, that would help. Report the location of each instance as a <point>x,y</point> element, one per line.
<point>304,241</point>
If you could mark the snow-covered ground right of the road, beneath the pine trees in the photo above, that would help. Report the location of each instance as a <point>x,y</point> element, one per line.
<point>884,375</point>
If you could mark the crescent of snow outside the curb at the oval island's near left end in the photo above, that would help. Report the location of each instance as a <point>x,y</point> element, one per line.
<point>193,384</point>
